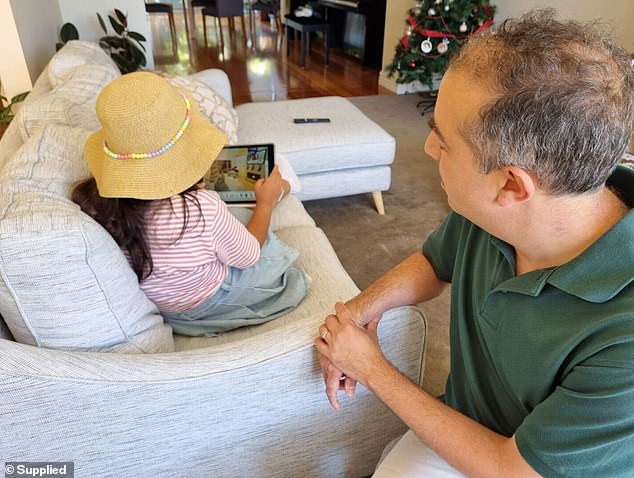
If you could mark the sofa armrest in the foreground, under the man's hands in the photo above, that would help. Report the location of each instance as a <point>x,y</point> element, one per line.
<point>184,414</point>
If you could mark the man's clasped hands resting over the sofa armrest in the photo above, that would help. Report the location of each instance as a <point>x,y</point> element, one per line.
<point>346,348</point>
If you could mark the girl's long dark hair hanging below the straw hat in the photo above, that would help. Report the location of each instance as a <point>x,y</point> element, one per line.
<point>124,219</point>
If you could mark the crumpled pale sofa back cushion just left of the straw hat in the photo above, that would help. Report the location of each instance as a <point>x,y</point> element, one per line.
<point>71,102</point>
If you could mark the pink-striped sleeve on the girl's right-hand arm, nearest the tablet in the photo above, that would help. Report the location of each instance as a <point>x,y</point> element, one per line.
<point>235,245</point>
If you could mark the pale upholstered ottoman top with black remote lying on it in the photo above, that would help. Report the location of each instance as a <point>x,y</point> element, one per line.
<point>350,140</point>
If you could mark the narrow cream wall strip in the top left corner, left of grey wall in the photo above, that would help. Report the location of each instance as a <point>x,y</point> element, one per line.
<point>14,72</point>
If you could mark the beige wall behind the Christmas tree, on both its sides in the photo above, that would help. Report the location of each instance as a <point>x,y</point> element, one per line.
<point>618,14</point>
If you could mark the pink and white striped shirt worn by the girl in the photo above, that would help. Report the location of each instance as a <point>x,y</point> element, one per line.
<point>188,270</point>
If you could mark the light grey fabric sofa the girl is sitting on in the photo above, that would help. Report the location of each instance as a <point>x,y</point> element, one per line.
<point>89,373</point>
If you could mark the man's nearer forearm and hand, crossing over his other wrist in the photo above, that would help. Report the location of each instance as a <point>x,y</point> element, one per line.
<point>462,442</point>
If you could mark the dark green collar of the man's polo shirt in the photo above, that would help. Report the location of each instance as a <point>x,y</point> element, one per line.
<point>601,271</point>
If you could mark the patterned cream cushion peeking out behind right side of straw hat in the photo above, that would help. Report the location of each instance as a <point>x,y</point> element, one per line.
<point>211,104</point>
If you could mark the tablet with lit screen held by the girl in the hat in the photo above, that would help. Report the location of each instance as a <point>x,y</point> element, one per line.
<point>236,169</point>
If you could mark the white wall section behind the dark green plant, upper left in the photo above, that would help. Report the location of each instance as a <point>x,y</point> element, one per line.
<point>83,14</point>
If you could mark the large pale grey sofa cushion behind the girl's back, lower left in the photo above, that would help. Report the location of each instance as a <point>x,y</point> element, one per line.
<point>64,282</point>
